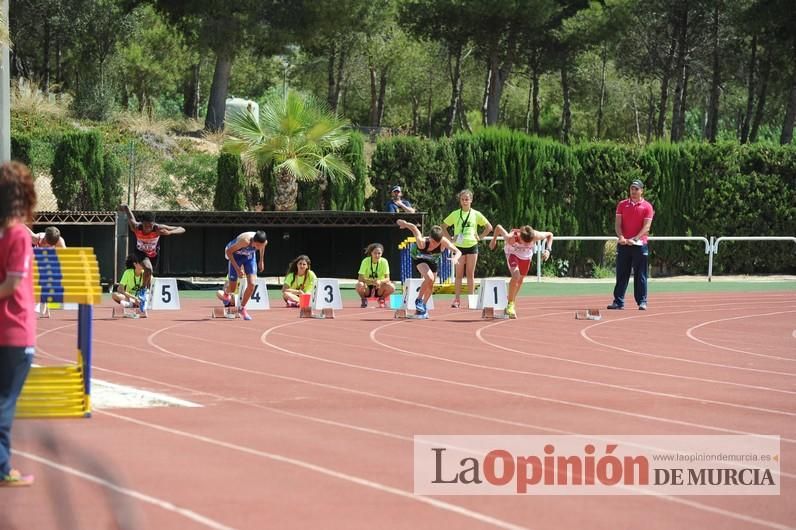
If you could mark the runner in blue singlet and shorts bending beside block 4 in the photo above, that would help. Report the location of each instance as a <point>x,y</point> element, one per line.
<point>241,253</point>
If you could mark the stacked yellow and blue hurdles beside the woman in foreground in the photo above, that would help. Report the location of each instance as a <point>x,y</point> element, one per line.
<point>64,275</point>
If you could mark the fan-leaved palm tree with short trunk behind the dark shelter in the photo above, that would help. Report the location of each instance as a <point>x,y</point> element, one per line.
<point>297,135</point>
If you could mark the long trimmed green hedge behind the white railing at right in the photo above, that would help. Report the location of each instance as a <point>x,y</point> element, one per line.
<point>696,189</point>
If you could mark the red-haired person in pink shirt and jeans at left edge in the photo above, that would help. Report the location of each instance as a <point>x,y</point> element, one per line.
<point>17,318</point>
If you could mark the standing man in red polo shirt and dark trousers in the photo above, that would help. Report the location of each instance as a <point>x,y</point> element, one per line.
<point>633,220</point>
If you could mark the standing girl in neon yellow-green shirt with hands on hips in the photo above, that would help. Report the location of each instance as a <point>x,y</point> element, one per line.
<point>466,222</point>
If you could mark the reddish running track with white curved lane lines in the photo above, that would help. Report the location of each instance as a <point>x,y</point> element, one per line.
<point>309,423</point>
